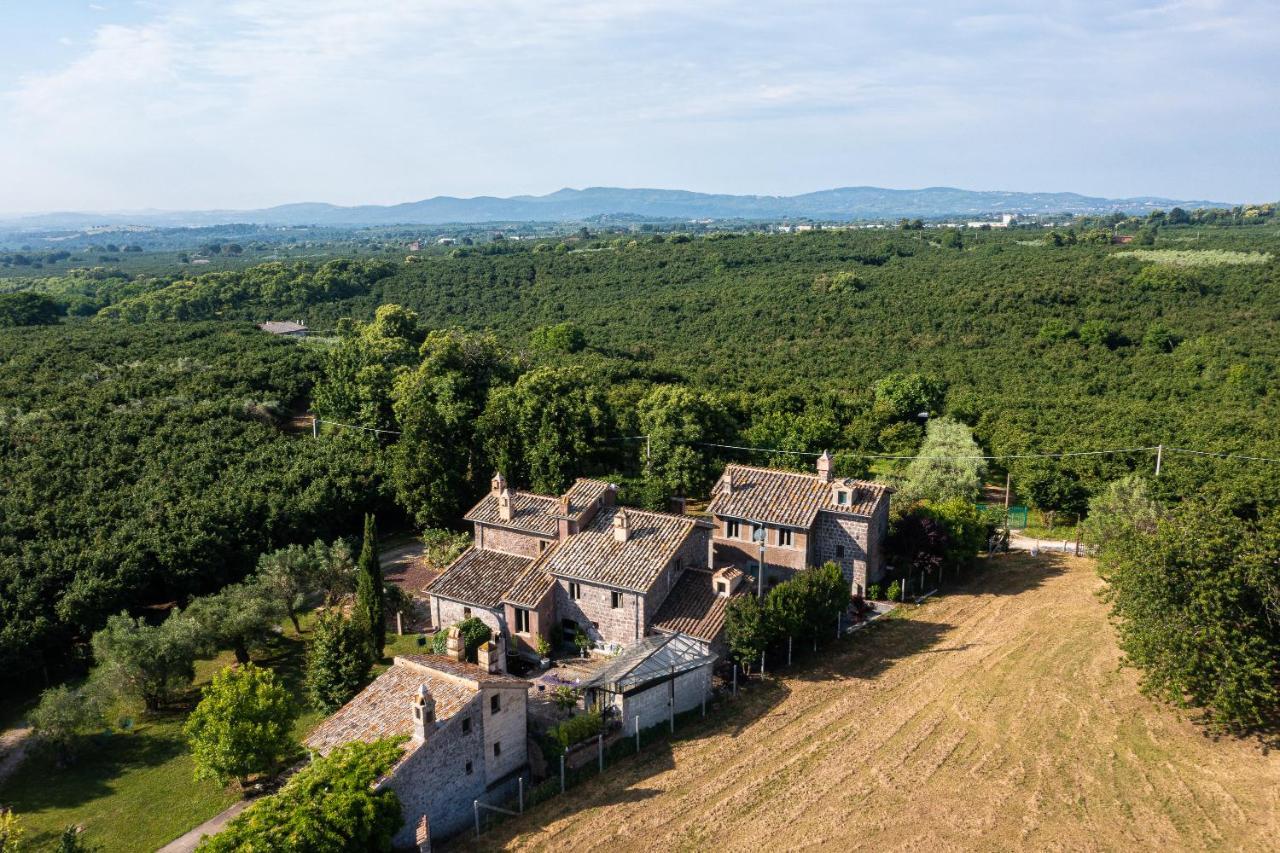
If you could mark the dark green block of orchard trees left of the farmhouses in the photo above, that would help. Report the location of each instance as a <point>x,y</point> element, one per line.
<point>143,464</point>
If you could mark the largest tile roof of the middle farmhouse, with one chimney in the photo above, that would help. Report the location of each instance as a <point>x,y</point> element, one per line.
<point>596,556</point>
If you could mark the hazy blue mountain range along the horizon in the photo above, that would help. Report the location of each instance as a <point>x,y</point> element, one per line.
<point>575,206</point>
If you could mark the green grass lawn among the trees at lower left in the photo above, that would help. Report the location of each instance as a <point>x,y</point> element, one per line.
<point>135,791</point>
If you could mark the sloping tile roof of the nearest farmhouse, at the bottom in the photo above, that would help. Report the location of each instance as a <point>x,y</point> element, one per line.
<point>386,708</point>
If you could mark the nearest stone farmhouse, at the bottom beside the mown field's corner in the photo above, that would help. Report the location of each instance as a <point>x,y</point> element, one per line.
<point>467,736</point>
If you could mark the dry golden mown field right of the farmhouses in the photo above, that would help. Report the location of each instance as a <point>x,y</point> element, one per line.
<point>994,718</point>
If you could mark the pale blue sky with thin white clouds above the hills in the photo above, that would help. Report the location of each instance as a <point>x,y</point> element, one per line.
<point>241,104</point>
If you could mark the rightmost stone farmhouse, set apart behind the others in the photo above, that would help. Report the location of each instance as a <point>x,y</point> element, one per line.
<point>801,521</point>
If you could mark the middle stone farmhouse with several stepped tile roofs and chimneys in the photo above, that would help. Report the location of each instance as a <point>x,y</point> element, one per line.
<point>554,567</point>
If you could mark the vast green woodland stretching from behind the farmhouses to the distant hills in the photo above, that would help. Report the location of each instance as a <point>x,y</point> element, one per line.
<point>147,454</point>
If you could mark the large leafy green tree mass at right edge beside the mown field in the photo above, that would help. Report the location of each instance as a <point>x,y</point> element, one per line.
<point>1196,596</point>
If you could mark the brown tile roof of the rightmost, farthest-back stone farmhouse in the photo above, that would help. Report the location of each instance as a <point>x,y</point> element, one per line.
<point>788,499</point>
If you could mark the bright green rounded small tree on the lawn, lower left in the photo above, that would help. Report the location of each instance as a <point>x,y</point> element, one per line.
<point>243,726</point>
